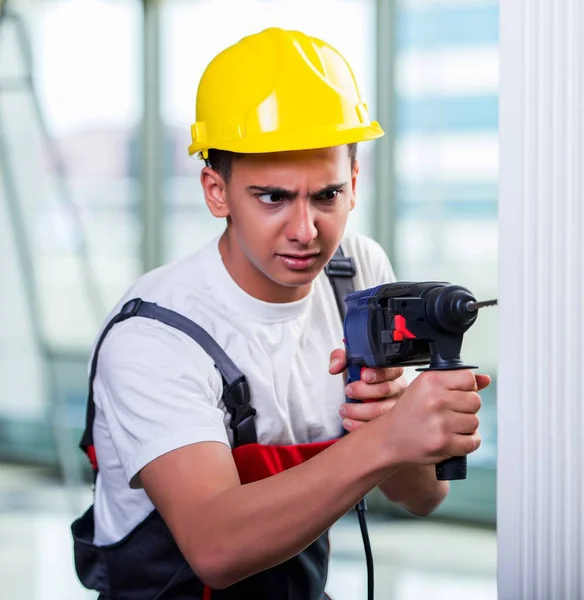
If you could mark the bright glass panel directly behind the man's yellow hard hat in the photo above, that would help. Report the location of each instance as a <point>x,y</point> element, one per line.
<point>188,46</point>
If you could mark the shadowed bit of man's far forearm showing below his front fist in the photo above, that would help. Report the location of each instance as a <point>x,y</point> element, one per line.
<point>416,489</point>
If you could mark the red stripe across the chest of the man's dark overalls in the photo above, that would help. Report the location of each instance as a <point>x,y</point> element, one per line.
<point>256,461</point>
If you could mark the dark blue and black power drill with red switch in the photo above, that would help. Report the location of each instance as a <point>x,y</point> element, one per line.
<point>407,324</point>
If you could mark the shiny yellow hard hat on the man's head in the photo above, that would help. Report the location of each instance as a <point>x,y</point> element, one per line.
<point>279,90</point>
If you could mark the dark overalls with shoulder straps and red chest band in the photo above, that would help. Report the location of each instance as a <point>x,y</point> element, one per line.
<point>147,564</point>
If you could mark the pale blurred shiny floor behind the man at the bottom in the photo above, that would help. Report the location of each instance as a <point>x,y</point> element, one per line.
<point>414,559</point>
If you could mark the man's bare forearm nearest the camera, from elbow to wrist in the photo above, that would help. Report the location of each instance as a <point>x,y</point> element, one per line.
<point>258,525</point>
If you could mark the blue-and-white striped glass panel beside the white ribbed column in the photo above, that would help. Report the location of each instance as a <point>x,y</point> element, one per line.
<point>446,164</point>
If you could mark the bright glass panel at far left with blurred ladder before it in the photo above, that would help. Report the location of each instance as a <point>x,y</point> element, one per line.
<point>68,189</point>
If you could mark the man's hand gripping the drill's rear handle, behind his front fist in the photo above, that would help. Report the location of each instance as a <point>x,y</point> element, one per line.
<point>378,391</point>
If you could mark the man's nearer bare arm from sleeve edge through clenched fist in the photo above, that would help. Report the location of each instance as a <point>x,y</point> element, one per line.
<point>228,531</point>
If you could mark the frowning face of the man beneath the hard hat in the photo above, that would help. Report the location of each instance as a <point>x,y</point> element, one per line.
<point>287,214</point>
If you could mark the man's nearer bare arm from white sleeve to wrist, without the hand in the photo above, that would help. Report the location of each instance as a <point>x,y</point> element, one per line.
<point>229,531</point>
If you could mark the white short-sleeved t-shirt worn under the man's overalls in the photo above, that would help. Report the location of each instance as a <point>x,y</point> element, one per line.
<point>157,390</point>
